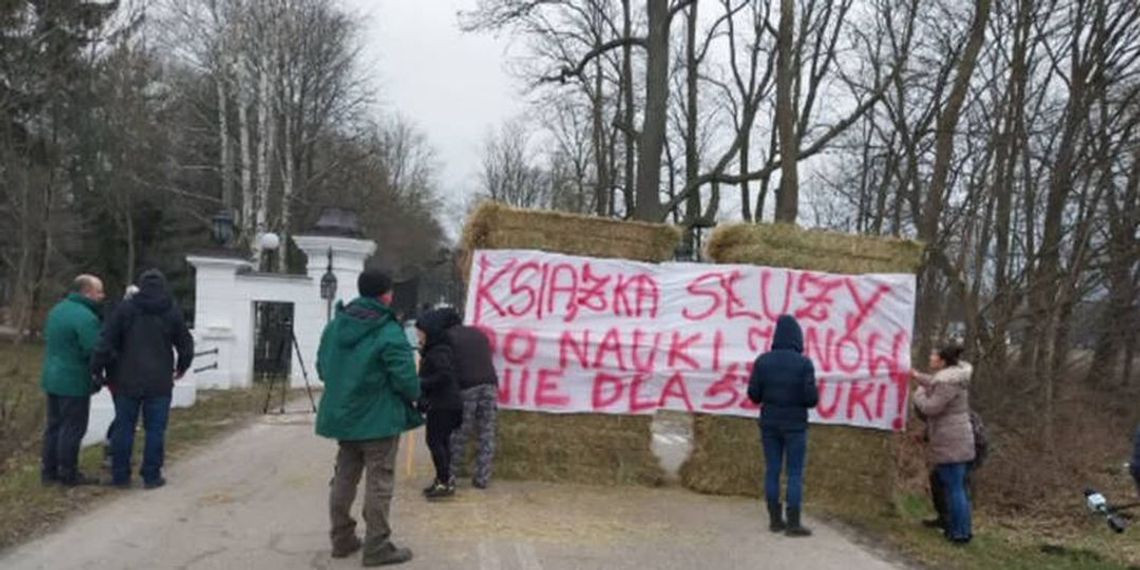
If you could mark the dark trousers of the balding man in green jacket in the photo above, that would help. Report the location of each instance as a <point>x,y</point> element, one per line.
<point>63,434</point>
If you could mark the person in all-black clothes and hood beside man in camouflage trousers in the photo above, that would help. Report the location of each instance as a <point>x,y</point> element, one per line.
<point>442,396</point>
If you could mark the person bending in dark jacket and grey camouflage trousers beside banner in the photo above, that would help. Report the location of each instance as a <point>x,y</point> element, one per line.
<point>479,386</point>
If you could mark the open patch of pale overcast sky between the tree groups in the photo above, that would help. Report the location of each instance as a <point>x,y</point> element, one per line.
<point>452,85</point>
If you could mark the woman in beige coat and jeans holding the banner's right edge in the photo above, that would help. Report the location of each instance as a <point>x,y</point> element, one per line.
<point>943,400</point>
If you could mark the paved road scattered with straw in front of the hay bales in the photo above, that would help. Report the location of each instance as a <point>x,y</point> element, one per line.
<point>257,500</point>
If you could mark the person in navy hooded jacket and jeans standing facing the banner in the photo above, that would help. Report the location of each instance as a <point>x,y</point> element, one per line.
<point>784,382</point>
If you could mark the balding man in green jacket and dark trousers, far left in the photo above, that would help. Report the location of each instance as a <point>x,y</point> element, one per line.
<point>72,332</point>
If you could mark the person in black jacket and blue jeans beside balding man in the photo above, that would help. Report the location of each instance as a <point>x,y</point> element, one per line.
<point>137,351</point>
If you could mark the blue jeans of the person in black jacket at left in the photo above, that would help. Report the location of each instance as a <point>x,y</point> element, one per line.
<point>156,414</point>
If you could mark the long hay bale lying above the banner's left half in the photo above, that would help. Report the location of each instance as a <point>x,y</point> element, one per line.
<point>495,226</point>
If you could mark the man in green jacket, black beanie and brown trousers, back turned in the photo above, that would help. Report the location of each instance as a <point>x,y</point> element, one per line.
<point>371,387</point>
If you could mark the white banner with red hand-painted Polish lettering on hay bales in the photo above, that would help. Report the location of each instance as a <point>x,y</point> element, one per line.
<point>598,336</point>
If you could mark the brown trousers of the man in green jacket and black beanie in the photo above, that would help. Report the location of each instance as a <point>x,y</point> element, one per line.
<point>378,457</point>
